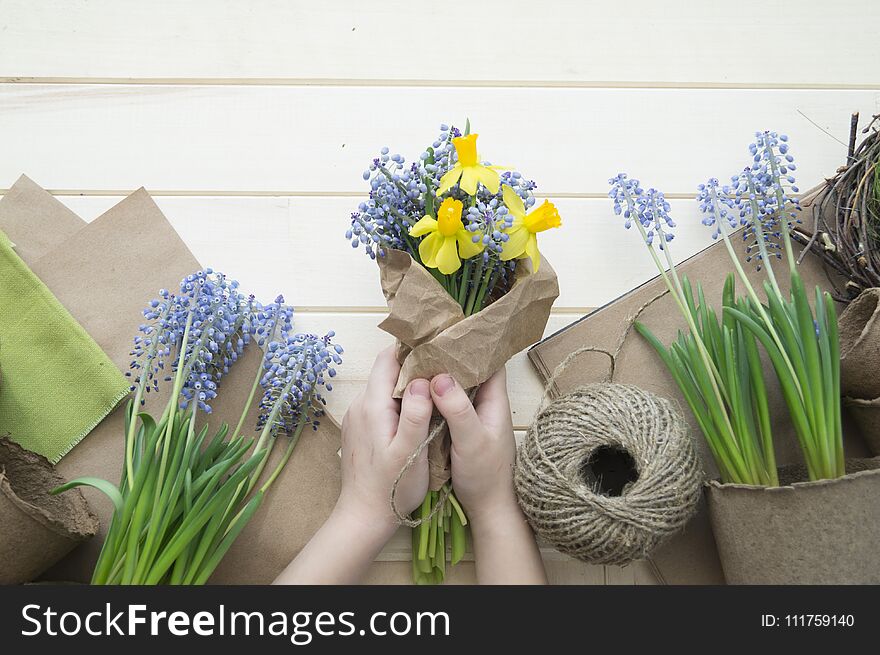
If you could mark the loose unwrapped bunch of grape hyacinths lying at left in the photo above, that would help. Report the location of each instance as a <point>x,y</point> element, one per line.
<point>187,492</point>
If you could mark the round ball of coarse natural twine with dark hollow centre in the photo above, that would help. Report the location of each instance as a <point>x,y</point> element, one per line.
<point>573,515</point>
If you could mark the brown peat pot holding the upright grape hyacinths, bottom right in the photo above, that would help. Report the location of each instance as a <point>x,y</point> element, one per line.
<point>823,532</point>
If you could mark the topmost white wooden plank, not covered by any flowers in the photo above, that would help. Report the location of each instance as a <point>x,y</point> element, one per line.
<point>563,41</point>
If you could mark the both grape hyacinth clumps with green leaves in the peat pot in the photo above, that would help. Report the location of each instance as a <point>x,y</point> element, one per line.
<point>717,364</point>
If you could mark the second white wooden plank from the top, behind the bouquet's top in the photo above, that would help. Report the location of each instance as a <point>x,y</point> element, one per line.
<point>318,140</point>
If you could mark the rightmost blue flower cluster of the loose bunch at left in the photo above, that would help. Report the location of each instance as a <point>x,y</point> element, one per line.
<point>296,369</point>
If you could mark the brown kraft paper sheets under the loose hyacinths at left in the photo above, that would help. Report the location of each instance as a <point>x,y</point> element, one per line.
<point>105,273</point>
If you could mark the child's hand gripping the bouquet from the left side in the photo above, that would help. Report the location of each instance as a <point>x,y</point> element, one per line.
<point>378,435</point>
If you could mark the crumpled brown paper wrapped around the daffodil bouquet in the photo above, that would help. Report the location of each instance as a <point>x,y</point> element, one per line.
<point>434,336</point>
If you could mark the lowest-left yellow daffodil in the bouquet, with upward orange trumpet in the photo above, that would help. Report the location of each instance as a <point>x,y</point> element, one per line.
<point>446,238</point>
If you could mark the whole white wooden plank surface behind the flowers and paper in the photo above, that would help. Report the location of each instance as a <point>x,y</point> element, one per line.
<point>251,123</point>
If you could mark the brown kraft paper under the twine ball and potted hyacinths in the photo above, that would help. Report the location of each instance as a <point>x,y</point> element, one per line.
<point>689,557</point>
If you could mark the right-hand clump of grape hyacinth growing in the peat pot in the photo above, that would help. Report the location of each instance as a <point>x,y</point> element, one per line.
<point>799,334</point>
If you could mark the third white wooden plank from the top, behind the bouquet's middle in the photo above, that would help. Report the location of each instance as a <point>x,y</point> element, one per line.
<point>296,246</point>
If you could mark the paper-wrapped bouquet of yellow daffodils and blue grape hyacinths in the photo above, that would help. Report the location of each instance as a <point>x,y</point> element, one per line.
<point>456,240</point>
